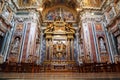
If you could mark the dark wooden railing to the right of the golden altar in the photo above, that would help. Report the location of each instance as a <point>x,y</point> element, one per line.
<point>99,67</point>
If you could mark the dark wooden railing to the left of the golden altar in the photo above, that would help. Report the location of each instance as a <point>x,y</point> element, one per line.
<point>21,67</point>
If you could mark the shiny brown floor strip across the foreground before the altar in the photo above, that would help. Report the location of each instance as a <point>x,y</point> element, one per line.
<point>59,76</point>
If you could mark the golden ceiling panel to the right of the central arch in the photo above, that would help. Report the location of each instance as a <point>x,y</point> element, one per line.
<point>93,3</point>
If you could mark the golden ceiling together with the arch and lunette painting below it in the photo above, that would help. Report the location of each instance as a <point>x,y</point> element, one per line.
<point>66,9</point>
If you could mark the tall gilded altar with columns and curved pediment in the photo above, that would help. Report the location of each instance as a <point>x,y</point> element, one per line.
<point>59,45</point>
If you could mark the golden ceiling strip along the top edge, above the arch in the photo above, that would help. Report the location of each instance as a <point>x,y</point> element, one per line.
<point>85,4</point>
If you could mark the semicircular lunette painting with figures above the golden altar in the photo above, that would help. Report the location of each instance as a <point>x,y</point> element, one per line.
<point>60,12</point>
